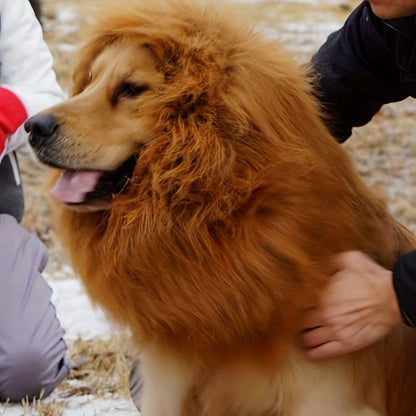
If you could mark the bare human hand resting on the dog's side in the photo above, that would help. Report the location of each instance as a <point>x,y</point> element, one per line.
<point>358,308</point>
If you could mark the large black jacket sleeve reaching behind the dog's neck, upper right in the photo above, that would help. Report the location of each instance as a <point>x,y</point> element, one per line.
<point>355,72</point>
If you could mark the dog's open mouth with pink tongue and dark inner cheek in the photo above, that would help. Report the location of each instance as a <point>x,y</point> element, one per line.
<point>95,188</point>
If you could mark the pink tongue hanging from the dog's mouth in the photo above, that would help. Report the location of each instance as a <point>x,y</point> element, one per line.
<point>73,185</point>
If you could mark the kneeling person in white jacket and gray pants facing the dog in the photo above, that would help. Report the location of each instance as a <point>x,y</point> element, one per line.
<point>32,349</point>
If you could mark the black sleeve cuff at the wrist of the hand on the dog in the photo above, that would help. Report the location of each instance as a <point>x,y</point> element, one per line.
<point>404,281</point>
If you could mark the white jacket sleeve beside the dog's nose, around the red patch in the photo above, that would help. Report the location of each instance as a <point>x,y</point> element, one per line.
<point>26,63</point>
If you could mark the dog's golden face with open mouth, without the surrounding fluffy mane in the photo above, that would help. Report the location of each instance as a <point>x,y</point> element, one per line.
<point>96,136</point>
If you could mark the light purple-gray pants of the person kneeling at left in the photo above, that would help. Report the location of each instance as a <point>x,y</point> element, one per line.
<point>32,349</point>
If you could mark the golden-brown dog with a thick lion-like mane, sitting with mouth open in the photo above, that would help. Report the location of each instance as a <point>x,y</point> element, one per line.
<point>201,198</point>
